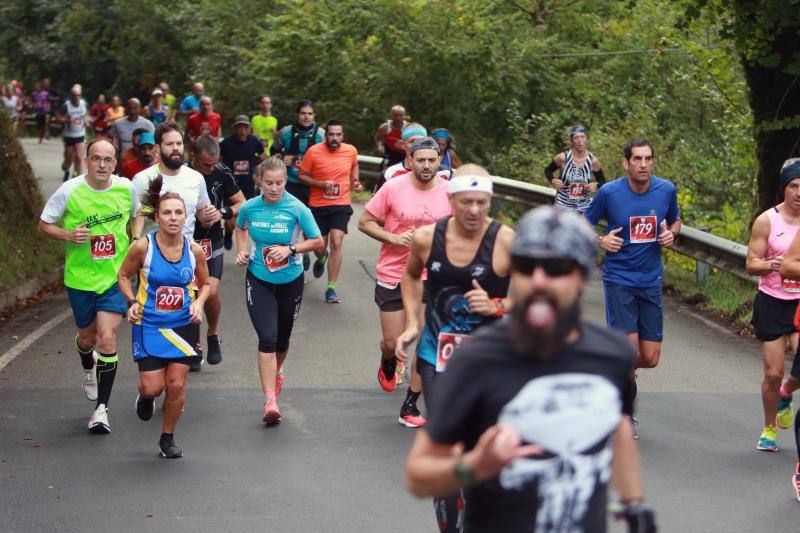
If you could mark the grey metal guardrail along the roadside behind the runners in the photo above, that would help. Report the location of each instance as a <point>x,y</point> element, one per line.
<point>720,253</point>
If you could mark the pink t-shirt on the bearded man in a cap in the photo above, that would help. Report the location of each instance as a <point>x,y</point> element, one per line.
<point>402,207</point>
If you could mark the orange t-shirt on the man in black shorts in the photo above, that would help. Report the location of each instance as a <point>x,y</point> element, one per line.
<point>326,165</point>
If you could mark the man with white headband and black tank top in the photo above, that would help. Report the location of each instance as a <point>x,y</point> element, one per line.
<point>467,256</point>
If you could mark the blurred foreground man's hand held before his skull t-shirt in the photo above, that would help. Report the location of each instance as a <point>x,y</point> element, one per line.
<point>498,446</point>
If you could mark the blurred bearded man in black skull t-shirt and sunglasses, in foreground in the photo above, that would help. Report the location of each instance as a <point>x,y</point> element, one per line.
<point>531,411</point>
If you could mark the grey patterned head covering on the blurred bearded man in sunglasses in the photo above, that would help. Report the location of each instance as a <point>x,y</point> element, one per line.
<point>547,232</point>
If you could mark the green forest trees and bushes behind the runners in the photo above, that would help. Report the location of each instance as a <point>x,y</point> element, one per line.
<point>508,78</point>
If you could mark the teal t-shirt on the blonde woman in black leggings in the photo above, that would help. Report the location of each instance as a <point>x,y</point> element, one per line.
<point>280,223</point>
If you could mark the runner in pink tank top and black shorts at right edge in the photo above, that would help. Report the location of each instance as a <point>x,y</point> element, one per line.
<point>775,304</point>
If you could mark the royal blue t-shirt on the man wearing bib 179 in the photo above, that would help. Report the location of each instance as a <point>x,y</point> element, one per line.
<point>638,262</point>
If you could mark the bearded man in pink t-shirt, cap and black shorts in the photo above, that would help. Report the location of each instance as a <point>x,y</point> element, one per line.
<point>402,205</point>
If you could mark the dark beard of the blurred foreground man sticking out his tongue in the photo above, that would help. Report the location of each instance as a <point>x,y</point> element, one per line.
<point>542,342</point>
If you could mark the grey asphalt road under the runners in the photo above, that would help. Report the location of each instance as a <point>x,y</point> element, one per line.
<point>336,463</point>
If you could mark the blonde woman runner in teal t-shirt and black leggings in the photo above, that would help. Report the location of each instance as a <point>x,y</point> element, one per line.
<point>274,281</point>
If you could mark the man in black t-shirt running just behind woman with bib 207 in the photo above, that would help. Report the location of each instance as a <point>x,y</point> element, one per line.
<point>226,197</point>
